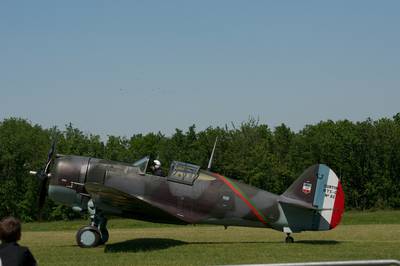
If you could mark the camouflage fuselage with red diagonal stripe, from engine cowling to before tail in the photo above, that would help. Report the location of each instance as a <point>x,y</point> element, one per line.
<point>120,189</point>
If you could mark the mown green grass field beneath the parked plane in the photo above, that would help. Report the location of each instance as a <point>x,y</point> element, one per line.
<point>362,235</point>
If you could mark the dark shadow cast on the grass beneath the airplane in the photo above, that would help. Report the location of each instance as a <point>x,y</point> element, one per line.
<point>152,244</point>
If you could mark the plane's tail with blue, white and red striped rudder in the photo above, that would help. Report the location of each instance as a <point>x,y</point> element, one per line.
<point>317,189</point>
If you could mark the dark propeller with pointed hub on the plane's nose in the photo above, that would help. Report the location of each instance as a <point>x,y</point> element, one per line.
<point>43,176</point>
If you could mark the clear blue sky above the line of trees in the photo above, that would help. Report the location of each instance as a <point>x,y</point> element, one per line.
<point>126,67</point>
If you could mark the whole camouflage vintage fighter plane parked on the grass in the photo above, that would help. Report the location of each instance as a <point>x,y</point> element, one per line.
<point>187,195</point>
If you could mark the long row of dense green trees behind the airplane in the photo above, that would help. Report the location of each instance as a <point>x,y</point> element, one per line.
<point>365,155</point>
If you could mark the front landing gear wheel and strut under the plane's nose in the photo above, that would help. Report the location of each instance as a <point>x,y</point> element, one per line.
<point>96,233</point>
